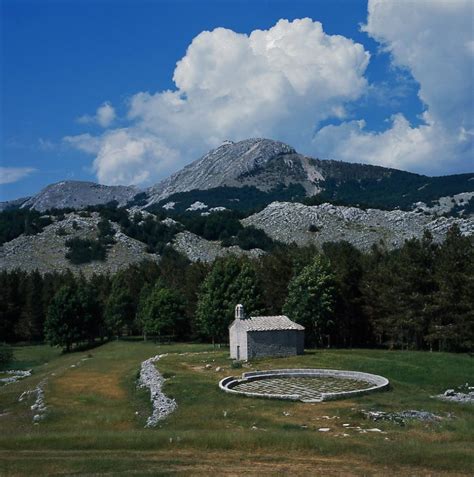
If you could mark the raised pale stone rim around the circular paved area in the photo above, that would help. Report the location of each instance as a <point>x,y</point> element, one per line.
<point>374,381</point>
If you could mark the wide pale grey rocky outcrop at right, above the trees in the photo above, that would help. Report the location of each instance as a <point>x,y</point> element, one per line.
<point>293,222</point>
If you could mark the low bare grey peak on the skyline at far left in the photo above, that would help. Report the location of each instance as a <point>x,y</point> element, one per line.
<point>78,195</point>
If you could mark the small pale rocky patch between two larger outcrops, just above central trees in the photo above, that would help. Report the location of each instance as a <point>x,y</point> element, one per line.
<point>198,249</point>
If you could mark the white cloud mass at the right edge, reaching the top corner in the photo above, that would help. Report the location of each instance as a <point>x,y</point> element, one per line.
<point>433,40</point>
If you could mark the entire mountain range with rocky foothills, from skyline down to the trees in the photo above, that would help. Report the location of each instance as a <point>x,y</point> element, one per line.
<point>239,198</point>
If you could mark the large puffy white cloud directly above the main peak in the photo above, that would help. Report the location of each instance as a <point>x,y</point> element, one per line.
<point>279,83</point>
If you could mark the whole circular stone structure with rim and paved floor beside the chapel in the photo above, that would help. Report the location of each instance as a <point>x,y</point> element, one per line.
<point>306,385</point>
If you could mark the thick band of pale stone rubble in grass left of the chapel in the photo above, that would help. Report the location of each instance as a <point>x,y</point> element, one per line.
<point>151,378</point>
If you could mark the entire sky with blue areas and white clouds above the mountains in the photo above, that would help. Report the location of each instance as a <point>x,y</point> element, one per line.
<point>83,91</point>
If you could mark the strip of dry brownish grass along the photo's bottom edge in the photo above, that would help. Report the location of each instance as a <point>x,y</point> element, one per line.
<point>188,462</point>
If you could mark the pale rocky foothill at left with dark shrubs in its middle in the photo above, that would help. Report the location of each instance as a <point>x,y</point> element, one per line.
<point>46,251</point>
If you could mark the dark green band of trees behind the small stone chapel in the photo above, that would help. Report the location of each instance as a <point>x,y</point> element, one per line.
<point>419,296</point>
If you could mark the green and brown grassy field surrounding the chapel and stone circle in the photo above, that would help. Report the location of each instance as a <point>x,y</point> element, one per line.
<point>96,416</point>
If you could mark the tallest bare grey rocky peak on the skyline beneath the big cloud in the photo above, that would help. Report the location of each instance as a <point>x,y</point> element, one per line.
<point>264,164</point>
